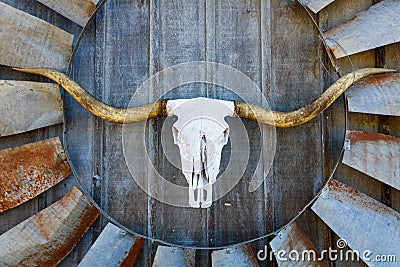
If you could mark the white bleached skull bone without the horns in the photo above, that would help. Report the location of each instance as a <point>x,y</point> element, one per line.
<point>200,132</point>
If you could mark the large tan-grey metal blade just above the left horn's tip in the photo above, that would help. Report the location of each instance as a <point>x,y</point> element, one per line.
<point>29,42</point>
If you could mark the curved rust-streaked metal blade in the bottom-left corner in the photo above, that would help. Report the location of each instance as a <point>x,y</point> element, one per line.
<point>47,237</point>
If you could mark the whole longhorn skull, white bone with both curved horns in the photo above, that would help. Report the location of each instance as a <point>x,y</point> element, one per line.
<point>201,131</point>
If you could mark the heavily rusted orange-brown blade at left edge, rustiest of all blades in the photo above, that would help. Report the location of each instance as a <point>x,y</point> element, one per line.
<point>29,170</point>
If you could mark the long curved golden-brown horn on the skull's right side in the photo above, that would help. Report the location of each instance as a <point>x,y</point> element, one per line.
<point>310,111</point>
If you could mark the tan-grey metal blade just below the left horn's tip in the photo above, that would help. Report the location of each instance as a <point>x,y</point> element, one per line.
<point>26,106</point>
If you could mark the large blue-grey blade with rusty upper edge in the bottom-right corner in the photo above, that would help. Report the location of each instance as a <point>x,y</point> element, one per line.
<point>363,223</point>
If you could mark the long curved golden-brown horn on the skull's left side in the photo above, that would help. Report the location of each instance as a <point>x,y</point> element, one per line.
<point>98,108</point>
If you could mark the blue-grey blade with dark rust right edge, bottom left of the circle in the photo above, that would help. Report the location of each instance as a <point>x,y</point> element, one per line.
<point>114,247</point>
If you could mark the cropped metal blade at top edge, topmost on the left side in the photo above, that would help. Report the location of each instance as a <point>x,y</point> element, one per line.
<point>79,11</point>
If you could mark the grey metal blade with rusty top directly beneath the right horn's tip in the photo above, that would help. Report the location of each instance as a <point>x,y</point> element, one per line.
<point>378,94</point>
